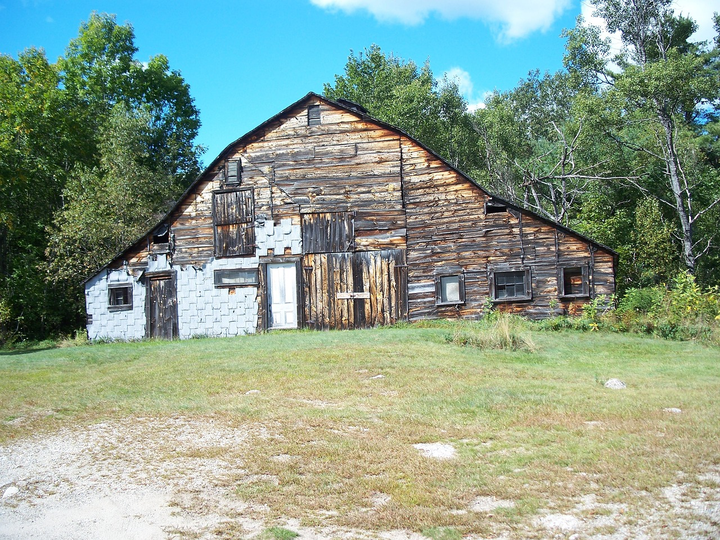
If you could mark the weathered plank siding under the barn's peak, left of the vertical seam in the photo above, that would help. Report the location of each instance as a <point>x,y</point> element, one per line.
<point>294,169</point>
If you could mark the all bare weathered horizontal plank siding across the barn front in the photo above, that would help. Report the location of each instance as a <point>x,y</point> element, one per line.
<point>295,169</point>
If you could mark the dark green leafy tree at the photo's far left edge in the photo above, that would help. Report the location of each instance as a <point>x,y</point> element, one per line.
<point>39,142</point>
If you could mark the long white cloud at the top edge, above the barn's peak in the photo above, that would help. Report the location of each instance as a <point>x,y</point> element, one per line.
<point>515,18</point>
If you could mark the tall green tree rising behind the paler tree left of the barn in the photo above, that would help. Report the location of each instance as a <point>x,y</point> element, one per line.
<point>100,70</point>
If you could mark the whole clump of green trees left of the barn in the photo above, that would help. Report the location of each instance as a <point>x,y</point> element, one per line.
<point>72,134</point>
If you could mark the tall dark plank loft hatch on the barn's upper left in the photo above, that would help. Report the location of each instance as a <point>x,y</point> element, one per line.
<point>233,223</point>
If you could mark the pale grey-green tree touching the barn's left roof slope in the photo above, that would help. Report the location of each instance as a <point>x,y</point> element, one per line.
<point>109,205</point>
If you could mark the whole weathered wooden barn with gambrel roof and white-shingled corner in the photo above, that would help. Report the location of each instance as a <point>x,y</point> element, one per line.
<point>324,217</point>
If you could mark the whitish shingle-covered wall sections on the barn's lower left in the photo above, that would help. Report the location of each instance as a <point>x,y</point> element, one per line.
<point>203,309</point>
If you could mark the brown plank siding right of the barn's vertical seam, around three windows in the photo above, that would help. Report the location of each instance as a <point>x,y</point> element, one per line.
<point>448,232</point>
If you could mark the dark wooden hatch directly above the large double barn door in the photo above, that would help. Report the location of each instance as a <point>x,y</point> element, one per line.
<point>328,232</point>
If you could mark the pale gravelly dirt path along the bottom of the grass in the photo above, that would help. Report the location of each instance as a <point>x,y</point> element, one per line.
<point>147,478</point>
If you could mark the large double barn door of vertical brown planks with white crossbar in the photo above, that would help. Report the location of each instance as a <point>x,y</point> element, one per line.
<point>355,290</point>
